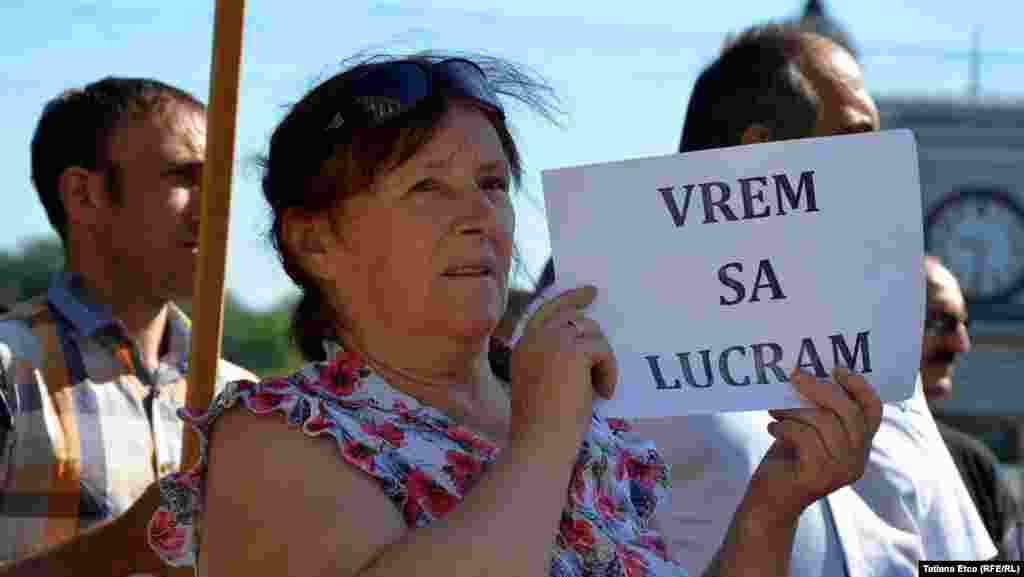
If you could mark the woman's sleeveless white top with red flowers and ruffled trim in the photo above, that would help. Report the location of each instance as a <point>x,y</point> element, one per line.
<point>426,464</point>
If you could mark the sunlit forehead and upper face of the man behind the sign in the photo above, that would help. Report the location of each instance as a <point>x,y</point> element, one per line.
<point>844,105</point>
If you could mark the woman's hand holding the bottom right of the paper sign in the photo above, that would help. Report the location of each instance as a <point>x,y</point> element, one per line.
<point>818,450</point>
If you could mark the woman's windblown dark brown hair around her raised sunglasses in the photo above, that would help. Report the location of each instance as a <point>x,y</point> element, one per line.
<point>312,169</point>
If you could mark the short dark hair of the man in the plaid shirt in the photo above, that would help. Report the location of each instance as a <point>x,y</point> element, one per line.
<point>76,130</point>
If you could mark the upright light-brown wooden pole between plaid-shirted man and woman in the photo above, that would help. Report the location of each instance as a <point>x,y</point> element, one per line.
<point>208,301</point>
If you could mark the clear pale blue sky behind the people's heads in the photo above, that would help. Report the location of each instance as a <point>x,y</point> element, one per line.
<point>624,71</point>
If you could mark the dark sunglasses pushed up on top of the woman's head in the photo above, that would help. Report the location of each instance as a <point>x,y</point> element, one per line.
<point>388,91</point>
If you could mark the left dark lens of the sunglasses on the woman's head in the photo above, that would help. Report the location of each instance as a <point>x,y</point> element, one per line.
<point>391,91</point>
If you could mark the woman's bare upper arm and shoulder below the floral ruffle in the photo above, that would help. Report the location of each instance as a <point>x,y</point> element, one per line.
<point>279,502</point>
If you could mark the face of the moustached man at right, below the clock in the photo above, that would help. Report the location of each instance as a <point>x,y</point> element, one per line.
<point>946,334</point>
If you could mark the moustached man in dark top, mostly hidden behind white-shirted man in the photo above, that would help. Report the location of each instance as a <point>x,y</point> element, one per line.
<point>946,339</point>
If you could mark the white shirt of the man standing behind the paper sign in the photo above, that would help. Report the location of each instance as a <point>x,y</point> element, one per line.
<point>911,505</point>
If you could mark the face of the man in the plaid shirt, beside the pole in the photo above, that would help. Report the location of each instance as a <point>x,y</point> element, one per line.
<point>152,235</point>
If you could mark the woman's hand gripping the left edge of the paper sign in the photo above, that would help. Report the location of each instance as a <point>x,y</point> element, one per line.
<point>562,361</point>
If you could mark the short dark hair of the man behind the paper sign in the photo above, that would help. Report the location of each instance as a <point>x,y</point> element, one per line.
<point>755,80</point>
